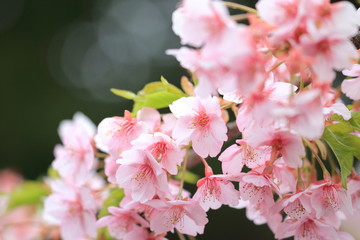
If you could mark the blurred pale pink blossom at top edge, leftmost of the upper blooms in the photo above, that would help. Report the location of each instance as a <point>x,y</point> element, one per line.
<point>198,21</point>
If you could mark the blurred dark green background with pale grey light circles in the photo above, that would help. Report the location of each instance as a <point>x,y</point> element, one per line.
<point>62,56</point>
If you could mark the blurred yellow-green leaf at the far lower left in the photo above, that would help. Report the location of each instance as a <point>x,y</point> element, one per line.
<point>29,192</point>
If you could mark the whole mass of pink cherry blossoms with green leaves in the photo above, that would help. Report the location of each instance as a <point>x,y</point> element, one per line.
<point>291,163</point>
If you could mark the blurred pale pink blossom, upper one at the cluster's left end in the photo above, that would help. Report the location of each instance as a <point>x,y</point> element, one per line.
<point>75,158</point>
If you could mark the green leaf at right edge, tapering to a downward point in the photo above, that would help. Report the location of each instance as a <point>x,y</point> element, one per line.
<point>344,146</point>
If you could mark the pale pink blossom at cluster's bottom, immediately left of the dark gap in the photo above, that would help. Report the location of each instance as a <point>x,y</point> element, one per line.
<point>186,216</point>
